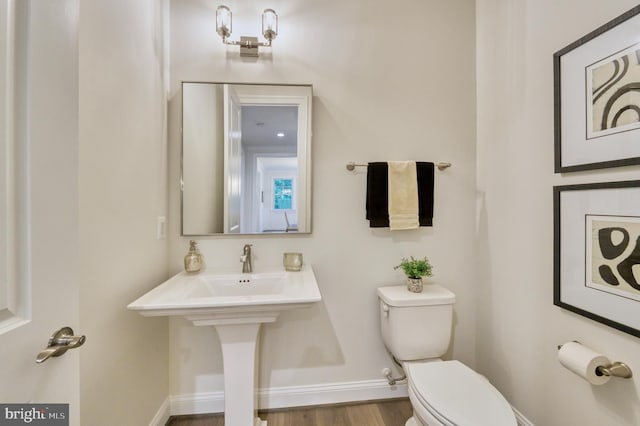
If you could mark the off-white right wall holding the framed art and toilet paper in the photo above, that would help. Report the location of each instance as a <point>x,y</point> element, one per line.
<point>518,326</point>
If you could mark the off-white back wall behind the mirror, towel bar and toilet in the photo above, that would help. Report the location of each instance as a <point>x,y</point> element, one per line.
<point>390,82</point>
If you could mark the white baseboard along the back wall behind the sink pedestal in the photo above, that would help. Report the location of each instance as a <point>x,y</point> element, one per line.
<point>291,396</point>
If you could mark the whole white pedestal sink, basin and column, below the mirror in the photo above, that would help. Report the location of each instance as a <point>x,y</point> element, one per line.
<point>235,304</point>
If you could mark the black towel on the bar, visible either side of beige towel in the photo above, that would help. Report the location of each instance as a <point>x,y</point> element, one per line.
<point>377,202</point>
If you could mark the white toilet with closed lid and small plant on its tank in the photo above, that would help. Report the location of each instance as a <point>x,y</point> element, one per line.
<point>416,329</point>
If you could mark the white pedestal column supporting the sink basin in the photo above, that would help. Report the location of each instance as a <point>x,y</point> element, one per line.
<point>239,357</point>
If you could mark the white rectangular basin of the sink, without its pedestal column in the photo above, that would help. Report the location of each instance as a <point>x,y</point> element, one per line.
<point>226,292</point>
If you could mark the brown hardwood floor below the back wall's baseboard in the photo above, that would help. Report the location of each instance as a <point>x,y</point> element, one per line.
<point>377,413</point>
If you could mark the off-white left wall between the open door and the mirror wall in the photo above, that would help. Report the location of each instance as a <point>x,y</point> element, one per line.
<point>123,188</point>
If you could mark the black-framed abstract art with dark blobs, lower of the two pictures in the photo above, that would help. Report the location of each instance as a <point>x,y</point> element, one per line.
<point>597,252</point>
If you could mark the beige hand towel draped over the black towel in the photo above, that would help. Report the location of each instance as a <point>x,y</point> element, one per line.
<point>403,195</point>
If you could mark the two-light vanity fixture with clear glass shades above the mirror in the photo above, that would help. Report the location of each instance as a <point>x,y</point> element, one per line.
<point>248,45</point>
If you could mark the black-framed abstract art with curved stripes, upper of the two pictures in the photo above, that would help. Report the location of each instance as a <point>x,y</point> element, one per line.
<point>597,98</point>
